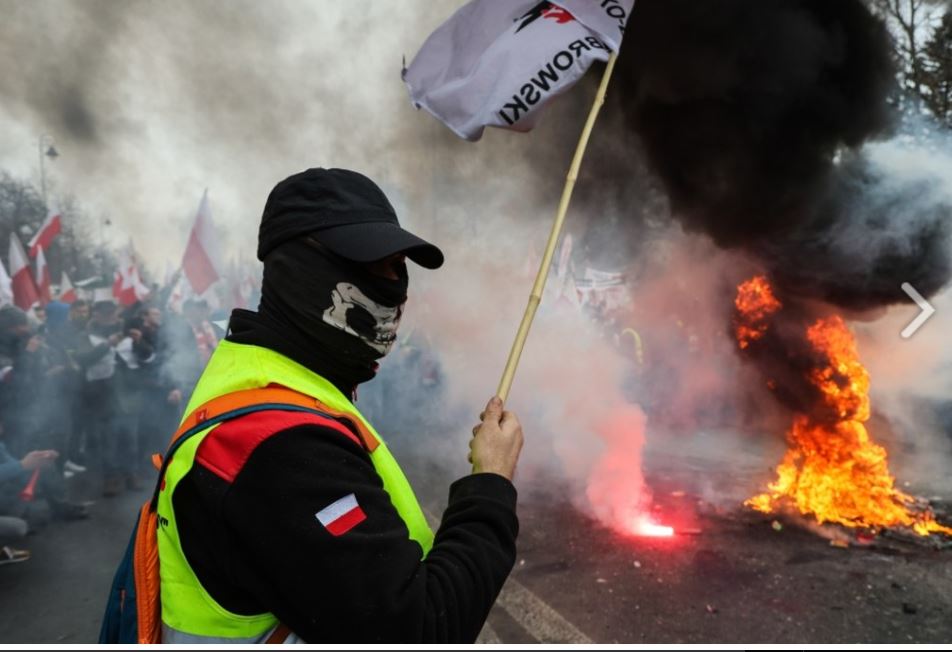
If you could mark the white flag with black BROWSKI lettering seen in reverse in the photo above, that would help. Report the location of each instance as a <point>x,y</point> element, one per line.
<point>496,63</point>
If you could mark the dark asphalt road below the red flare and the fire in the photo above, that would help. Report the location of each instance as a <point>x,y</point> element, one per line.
<point>738,581</point>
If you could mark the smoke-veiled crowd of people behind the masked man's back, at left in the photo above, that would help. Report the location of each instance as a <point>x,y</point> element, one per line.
<point>89,391</point>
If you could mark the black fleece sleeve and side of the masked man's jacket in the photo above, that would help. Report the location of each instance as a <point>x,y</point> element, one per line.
<point>256,545</point>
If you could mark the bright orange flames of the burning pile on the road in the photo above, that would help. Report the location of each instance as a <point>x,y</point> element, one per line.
<point>832,471</point>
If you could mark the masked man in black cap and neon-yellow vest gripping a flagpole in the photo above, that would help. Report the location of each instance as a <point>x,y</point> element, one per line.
<point>284,525</point>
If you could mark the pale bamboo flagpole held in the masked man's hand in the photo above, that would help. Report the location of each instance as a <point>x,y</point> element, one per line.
<point>505,384</point>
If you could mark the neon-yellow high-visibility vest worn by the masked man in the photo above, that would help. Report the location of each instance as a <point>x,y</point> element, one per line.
<point>189,613</point>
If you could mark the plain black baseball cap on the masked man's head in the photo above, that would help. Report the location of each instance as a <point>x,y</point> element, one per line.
<point>346,212</point>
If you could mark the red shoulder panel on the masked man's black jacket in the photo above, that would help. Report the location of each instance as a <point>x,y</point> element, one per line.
<point>226,449</point>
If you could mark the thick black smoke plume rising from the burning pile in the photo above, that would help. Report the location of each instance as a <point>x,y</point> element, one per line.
<point>753,114</point>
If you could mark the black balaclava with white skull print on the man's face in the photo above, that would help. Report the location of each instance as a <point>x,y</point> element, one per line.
<point>333,307</point>
